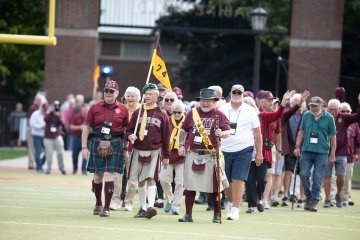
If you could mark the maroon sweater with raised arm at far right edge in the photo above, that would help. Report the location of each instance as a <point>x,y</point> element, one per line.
<point>342,122</point>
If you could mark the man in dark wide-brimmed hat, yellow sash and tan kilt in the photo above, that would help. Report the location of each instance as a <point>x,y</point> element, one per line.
<point>199,167</point>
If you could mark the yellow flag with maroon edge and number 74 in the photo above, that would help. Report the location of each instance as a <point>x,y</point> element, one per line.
<point>159,68</point>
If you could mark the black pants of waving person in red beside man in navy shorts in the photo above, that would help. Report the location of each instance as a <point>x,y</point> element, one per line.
<point>255,185</point>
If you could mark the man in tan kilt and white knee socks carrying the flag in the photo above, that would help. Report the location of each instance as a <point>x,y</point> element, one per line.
<point>151,143</point>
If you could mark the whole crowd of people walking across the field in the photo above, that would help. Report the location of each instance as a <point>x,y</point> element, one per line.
<point>247,147</point>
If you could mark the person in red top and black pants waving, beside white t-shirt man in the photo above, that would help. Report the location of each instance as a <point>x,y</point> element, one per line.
<point>256,182</point>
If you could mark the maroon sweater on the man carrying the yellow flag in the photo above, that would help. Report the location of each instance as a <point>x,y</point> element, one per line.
<point>158,135</point>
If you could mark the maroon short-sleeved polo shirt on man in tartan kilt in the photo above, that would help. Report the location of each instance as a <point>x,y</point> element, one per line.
<point>116,113</point>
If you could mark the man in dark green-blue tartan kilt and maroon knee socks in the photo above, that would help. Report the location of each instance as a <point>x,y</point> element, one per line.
<point>108,119</point>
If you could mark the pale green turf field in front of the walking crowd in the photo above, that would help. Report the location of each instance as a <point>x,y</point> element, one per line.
<point>37,206</point>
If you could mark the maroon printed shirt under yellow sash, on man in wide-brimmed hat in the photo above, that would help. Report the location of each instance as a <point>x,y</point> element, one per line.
<point>208,120</point>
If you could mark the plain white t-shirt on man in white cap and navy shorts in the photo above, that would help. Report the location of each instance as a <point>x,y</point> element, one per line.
<point>242,122</point>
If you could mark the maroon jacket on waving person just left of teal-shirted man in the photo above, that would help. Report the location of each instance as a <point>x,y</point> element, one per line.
<point>287,142</point>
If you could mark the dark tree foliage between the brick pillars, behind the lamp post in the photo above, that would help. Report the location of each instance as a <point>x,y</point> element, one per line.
<point>226,58</point>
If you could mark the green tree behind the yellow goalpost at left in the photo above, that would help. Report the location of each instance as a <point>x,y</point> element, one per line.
<point>21,66</point>
